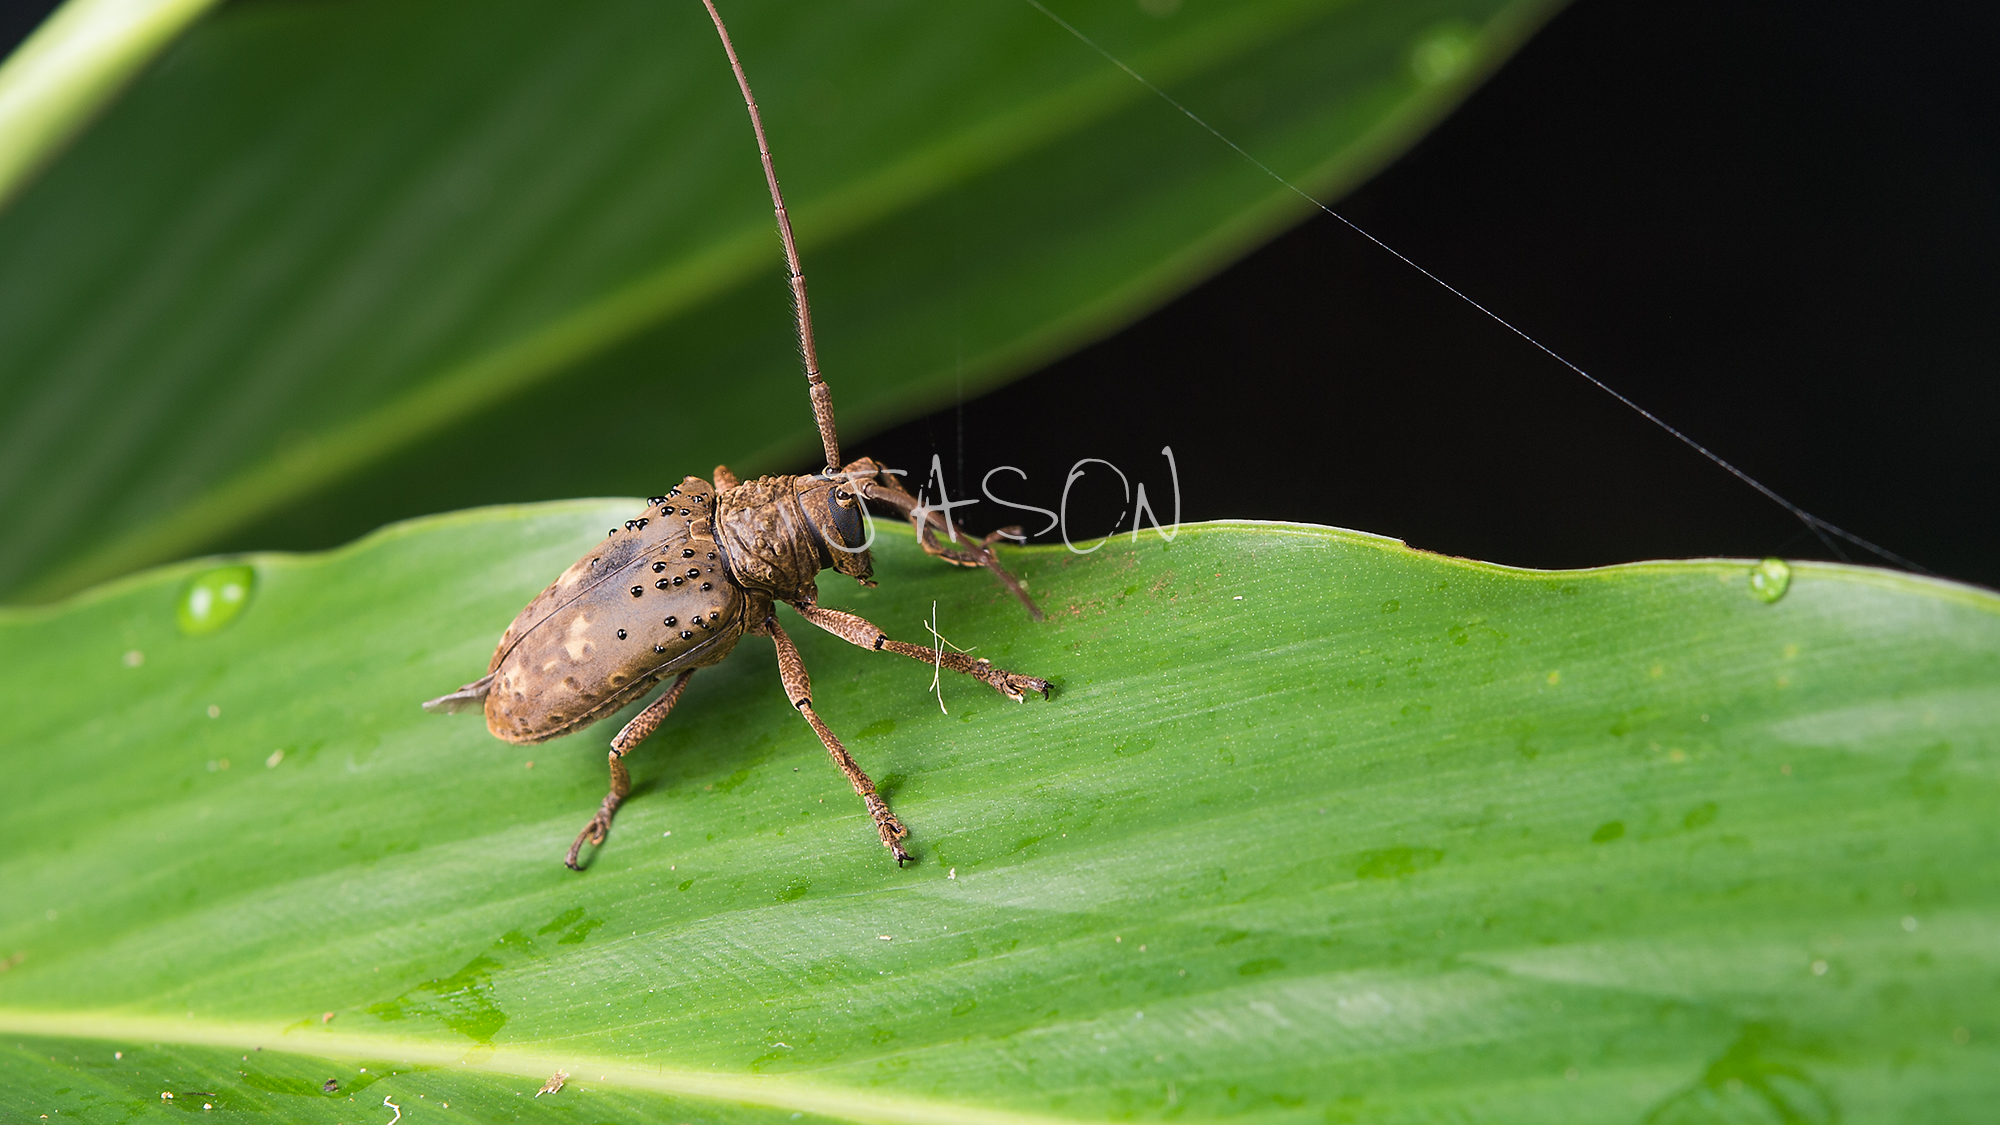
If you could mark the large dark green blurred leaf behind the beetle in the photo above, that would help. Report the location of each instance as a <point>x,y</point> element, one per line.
<point>329,265</point>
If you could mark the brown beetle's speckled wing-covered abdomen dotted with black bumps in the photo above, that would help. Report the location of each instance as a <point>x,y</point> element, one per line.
<point>637,610</point>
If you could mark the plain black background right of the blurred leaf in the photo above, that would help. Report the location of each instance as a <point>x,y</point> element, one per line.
<point>1777,225</point>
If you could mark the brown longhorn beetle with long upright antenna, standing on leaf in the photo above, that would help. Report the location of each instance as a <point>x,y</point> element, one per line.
<point>701,568</point>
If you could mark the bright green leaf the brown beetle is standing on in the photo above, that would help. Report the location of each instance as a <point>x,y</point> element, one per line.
<point>1317,828</point>
